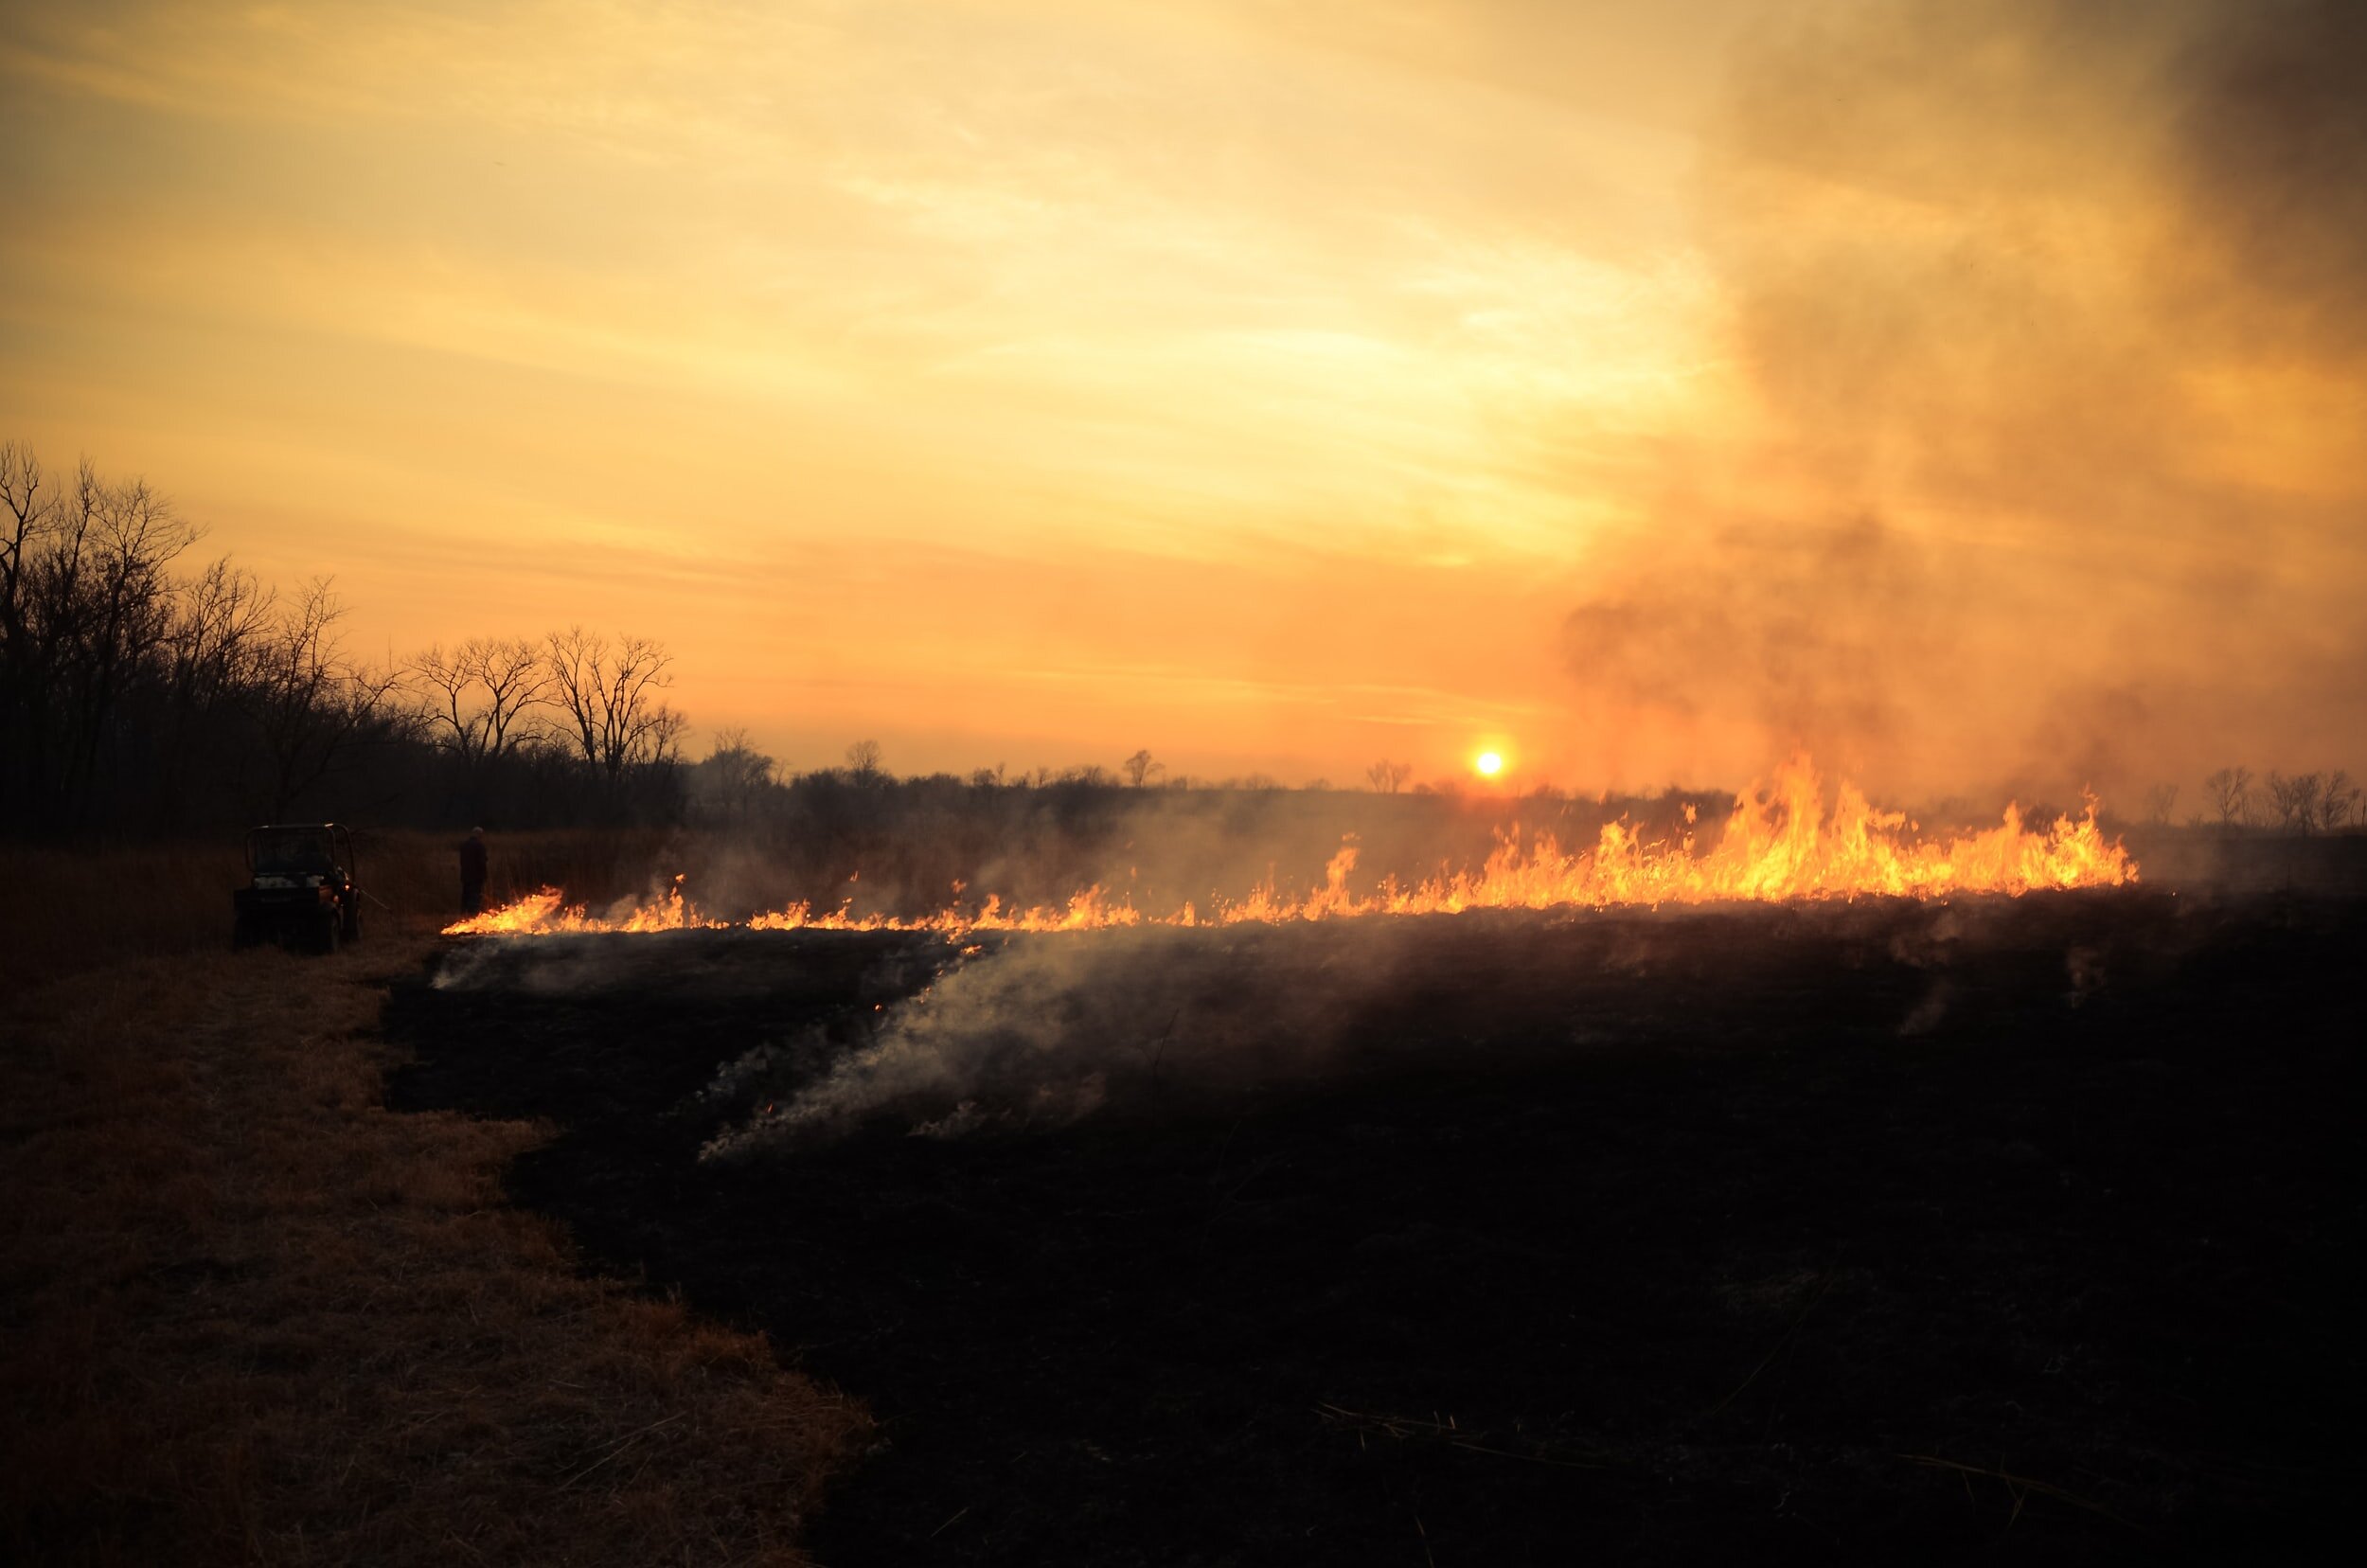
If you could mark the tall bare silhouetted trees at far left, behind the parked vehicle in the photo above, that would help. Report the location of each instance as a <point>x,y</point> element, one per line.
<point>143,695</point>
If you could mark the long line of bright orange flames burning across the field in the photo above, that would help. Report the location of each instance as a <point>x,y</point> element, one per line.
<point>1779,844</point>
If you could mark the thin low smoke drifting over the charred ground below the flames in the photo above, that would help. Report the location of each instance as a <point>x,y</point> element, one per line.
<point>1045,1032</point>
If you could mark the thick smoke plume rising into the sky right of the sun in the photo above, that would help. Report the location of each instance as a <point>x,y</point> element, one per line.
<point>2053,326</point>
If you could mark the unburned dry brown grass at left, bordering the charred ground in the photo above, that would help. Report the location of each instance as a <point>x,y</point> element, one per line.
<point>252,1316</point>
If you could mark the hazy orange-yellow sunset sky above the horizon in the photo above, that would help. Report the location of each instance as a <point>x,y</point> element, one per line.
<point>1277,387</point>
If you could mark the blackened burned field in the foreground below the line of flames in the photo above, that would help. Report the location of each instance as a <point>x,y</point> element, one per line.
<point>1488,1240</point>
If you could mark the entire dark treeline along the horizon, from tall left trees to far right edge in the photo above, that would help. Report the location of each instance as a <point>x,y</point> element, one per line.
<point>148,698</point>
